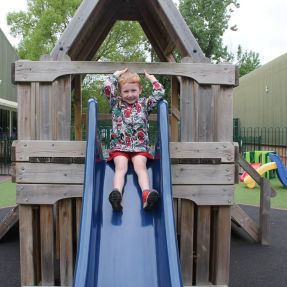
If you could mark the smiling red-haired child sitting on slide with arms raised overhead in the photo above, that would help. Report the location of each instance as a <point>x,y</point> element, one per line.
<point>129,136</point>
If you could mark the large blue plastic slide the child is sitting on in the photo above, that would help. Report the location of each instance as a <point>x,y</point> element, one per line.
<point>135,247</point>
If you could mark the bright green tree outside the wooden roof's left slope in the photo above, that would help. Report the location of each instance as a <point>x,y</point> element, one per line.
<point>39,28</point>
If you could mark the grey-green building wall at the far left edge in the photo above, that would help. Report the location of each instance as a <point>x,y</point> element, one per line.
<point>7,57</point>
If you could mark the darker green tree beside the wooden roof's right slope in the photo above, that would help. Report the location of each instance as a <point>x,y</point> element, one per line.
<point>208,20</point>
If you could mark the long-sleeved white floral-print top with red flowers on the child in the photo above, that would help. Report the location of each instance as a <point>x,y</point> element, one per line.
<point>130,121</point>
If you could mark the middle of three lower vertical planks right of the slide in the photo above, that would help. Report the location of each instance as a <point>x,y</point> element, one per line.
<point>203,245</point>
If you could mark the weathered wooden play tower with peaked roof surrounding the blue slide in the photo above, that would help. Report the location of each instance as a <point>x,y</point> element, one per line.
<point>49,167</point>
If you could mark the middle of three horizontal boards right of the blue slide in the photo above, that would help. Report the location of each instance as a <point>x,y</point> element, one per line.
<point>202,174</point>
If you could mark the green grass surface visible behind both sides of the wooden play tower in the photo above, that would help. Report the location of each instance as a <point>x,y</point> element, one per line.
<point>243,195</point>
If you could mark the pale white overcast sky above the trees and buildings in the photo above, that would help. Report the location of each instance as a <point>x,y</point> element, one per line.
<point>261,25</point>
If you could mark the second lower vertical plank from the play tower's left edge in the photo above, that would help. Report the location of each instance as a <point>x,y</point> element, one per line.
<point>47,245</point>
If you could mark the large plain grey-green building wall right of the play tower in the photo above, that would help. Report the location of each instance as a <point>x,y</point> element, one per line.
<point>260,100</point>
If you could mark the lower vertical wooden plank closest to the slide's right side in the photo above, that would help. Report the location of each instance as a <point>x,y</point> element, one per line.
<point>187,241</point>
